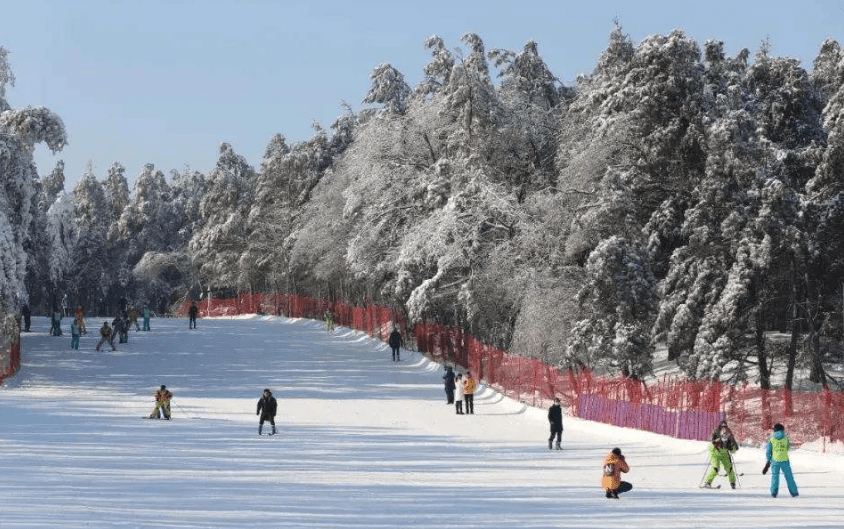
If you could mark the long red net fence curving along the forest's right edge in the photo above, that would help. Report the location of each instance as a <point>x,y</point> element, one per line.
<point>674,406</point>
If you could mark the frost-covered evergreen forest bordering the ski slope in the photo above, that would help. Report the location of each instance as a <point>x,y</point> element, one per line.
<point>674,198</point>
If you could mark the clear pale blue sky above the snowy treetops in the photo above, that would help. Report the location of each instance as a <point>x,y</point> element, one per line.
<point>166,82</point>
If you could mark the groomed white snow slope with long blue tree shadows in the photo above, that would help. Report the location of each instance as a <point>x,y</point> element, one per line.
<point>363,442</point>
